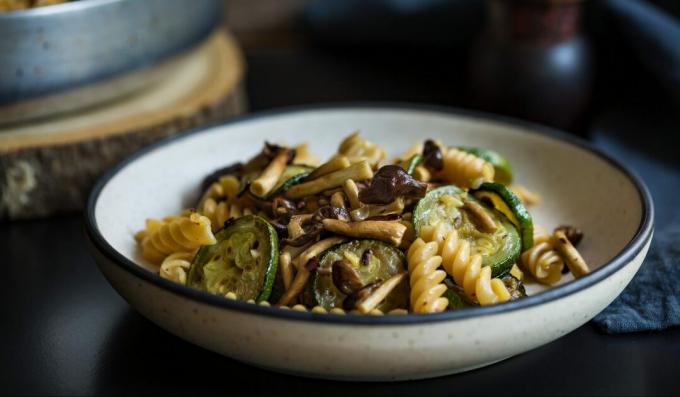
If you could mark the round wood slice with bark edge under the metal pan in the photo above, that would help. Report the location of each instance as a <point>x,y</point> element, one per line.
<point>49,166</point>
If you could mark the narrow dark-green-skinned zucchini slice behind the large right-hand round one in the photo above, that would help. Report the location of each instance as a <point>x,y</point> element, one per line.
<point>505,201</point>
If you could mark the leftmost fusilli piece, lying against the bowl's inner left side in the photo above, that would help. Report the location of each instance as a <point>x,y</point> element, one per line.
<point>182,234</point>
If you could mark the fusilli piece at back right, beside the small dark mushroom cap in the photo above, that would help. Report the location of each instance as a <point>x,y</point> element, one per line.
<point>464,169</point>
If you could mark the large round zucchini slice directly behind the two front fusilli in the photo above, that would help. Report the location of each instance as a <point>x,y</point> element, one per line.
<point>499,249</point>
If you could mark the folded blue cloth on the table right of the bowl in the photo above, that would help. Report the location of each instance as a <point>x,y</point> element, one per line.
<point>652,300</point>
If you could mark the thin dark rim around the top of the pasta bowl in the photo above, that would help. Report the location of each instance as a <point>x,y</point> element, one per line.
<point>637,243</point>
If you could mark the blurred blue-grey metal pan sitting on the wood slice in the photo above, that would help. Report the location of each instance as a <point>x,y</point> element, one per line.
<point>68,56</point>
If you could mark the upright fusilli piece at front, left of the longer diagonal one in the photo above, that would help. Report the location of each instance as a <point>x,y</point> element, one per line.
<point>425,278</point>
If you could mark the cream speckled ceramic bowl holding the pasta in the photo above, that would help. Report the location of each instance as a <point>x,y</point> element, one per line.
<point>579,185</point>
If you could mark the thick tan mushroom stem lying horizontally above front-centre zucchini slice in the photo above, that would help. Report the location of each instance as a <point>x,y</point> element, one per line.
<point>388,231</point>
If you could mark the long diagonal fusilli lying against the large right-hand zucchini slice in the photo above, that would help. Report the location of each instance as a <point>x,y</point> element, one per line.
<point>465,266</point>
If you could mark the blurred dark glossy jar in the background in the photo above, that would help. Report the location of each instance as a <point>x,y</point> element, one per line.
<point>531,61</point>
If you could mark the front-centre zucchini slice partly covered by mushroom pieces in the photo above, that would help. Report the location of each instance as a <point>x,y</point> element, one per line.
<point>373,261</point>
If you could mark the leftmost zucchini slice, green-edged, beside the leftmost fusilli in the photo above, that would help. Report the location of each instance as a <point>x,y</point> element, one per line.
<point>243,261</point>
